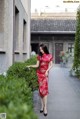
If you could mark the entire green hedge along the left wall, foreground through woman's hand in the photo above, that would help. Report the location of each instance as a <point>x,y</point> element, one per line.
<point>16,91</point>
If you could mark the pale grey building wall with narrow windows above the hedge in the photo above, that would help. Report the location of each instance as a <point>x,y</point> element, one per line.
<point>14,32</point>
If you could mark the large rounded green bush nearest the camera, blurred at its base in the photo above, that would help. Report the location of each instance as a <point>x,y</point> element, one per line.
<point>16,98</point>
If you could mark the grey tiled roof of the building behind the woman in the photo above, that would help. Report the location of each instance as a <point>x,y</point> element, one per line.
<point>52,25</point>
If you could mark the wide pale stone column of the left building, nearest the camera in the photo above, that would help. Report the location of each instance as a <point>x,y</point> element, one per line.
<point>8,33</point>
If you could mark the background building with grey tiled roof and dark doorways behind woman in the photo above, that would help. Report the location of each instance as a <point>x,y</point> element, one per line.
<point>56,30</point>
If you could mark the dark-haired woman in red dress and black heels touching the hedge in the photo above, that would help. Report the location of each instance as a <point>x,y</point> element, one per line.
<point>44,62</point>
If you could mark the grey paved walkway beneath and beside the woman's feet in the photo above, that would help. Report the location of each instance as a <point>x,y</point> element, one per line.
<point>64,96</point>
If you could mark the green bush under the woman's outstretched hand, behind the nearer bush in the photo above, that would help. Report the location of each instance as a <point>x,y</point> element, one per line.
<point>19,70</point>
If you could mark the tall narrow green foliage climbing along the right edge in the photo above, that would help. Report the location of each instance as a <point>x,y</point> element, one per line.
<point>76,64</point>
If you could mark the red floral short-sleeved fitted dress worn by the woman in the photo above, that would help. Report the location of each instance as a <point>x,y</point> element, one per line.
<point>42,78</point>
